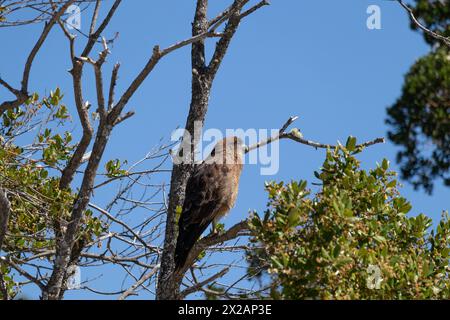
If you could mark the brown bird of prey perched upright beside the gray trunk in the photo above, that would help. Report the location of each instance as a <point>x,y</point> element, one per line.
<point>211,192</point>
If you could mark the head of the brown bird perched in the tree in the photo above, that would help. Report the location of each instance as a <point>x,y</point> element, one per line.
<point>227,151</point>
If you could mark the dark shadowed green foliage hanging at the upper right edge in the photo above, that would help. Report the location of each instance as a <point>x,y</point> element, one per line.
<point>420,118</point>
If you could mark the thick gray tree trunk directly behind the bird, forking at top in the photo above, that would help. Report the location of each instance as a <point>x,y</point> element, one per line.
<point>202,79</point>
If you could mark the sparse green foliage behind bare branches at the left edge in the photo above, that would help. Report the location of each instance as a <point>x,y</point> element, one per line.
<point>39,208</point>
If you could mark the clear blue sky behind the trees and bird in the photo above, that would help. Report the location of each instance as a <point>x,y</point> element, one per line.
<point>314,59</point>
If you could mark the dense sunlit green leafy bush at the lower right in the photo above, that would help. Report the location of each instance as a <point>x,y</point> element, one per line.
<point>329,245</point>
